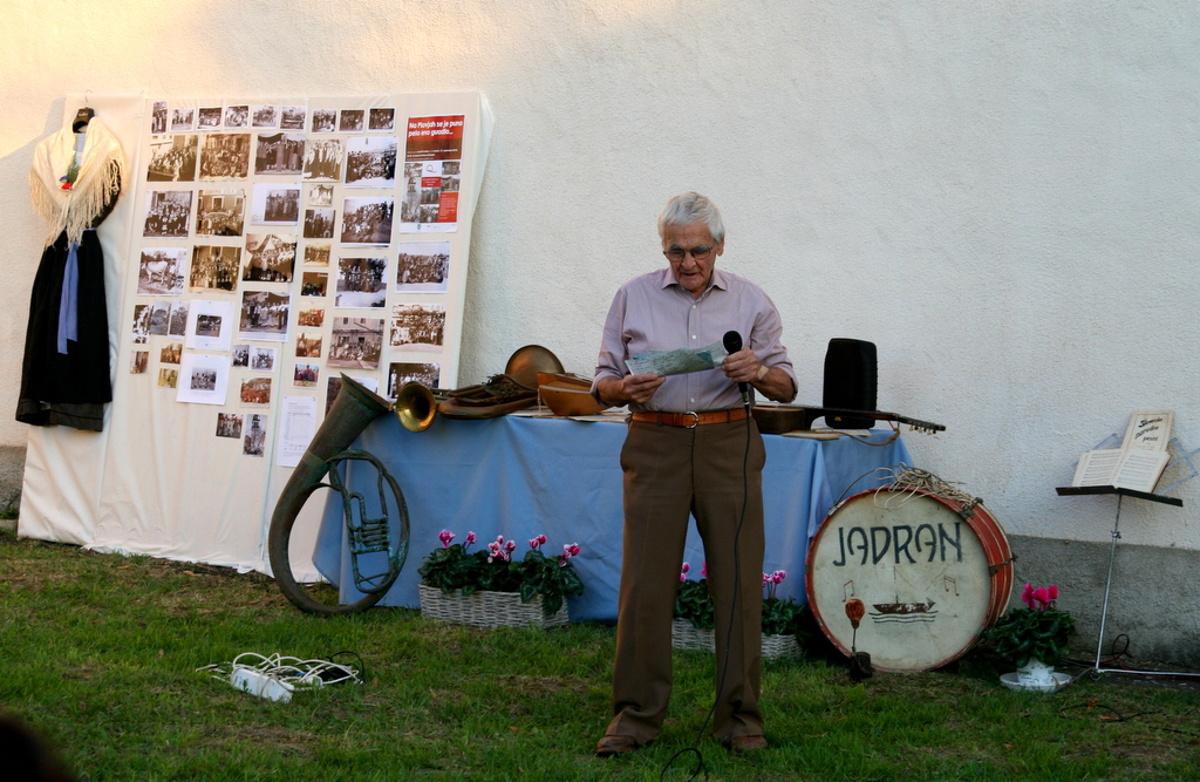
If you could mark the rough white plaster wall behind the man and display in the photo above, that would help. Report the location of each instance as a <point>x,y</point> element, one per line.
<point>1003,196</point>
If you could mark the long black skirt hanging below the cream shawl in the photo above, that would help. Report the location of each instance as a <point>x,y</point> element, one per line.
<point>68,389</point>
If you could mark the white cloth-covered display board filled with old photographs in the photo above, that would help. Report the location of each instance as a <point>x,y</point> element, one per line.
<point>268,246</point>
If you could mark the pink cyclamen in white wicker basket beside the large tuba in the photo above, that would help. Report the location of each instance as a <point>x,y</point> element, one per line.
<point>489,587</point>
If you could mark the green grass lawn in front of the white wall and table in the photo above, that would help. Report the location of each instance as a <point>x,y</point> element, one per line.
<point>103,653</point>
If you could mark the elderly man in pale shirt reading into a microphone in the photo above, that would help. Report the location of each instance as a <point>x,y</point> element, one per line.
<point>692,449</point>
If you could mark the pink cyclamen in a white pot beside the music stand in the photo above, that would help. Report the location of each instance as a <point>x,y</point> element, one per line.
<point>1035,637</point>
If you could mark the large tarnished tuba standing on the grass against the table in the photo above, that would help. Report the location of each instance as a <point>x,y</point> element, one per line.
<point>353,411</point>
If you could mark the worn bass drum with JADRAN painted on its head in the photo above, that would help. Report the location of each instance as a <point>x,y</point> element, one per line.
<point>909,578</point>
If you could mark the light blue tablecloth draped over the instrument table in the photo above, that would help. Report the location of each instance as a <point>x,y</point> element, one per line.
<point>521,477</point>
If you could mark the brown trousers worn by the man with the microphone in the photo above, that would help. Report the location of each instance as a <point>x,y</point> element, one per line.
<point>670,473</point>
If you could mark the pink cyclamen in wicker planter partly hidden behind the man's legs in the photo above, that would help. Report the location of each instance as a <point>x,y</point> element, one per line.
<point>694,616</point>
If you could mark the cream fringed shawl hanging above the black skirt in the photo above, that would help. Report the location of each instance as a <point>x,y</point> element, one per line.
<point>75,206</point>
